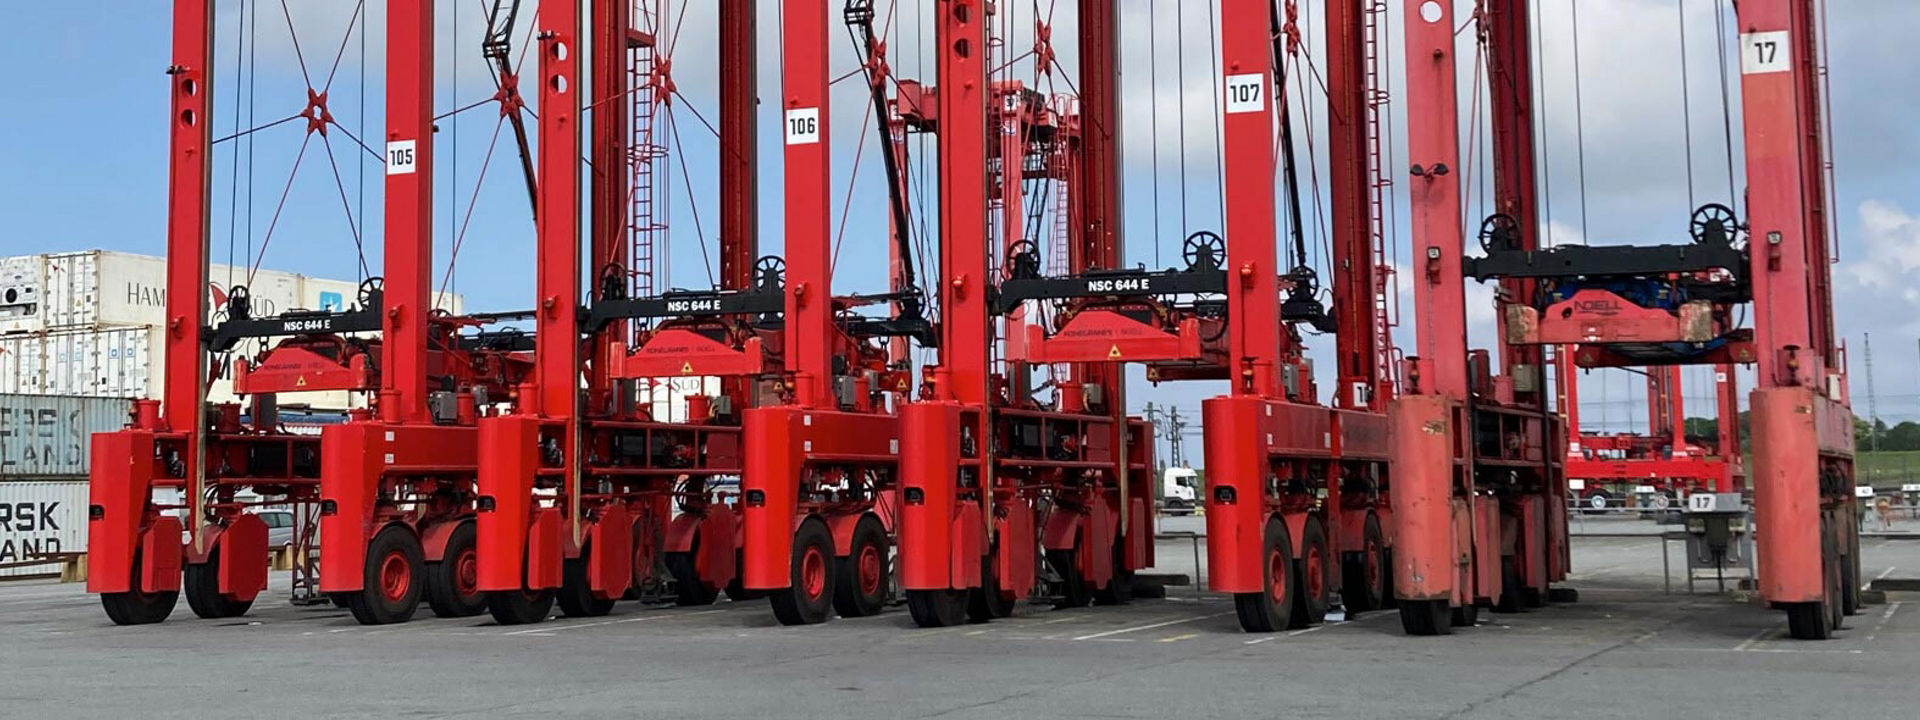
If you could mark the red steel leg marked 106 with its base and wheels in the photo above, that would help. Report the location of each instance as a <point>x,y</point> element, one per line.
<point>800,452</point>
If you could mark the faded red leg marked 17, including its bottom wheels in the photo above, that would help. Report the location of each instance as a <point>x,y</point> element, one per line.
<point>1802,425</point>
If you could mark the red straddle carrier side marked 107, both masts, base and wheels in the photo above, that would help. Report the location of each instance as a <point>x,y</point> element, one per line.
<point>1291,481</point>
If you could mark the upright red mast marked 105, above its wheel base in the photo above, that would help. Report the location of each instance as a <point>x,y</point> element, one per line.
<point>410,203</point>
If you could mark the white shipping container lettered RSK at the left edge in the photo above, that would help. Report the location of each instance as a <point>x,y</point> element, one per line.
<point>41,517</point>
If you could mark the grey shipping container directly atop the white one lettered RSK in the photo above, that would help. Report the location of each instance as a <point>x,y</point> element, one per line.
<point>47,437</point>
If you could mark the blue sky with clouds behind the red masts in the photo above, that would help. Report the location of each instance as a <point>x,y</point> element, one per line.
<point>84,155</point>
